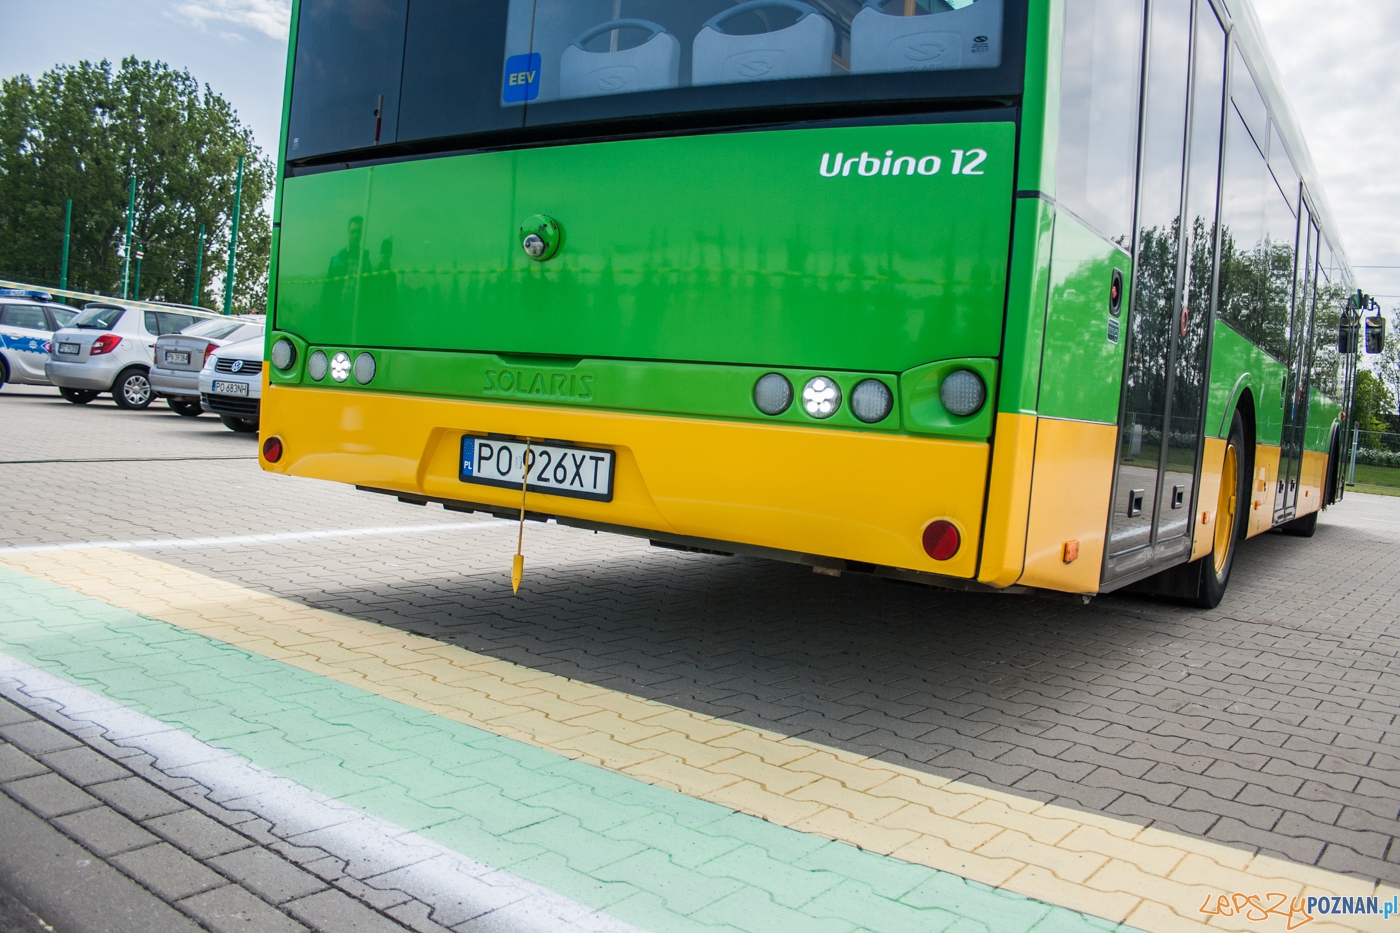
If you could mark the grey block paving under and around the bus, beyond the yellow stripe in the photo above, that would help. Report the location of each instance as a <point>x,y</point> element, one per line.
<point>1268,725</point>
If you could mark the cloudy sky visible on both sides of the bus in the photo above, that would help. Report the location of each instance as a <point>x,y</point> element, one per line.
<point>1336,62</point>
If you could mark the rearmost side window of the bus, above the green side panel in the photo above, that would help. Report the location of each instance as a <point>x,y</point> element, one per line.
<point>1100,82</point>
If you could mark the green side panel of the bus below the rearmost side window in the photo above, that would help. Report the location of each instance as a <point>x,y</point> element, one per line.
<point>1083,369</point>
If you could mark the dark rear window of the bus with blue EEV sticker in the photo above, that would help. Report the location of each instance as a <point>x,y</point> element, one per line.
<point>373,74</point>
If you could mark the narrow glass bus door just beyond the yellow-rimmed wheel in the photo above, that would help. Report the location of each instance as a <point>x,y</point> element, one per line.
<point>1294,389</point>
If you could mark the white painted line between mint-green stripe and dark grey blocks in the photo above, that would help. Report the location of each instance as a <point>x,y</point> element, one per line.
<point>377,852</point>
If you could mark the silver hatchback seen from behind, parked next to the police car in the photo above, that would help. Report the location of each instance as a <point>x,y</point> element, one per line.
<point>108,350</point>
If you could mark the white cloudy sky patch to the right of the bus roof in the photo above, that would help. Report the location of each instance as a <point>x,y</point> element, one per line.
<point>1338,64</point>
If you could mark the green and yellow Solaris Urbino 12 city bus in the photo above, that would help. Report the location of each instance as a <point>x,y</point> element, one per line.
<point>982,293</point>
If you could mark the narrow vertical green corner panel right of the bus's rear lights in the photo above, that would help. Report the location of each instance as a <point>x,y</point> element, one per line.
<point>1027,306</point>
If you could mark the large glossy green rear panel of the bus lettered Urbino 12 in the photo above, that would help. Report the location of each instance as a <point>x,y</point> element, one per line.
<point>719,249</point>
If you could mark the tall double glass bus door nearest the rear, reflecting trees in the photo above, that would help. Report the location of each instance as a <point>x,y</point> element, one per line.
<point>1160,417</point>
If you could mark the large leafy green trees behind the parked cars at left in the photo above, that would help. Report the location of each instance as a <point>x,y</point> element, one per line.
<point>85,132</point>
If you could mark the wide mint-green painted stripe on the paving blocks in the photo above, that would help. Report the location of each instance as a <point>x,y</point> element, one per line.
<point>650,857</point>
